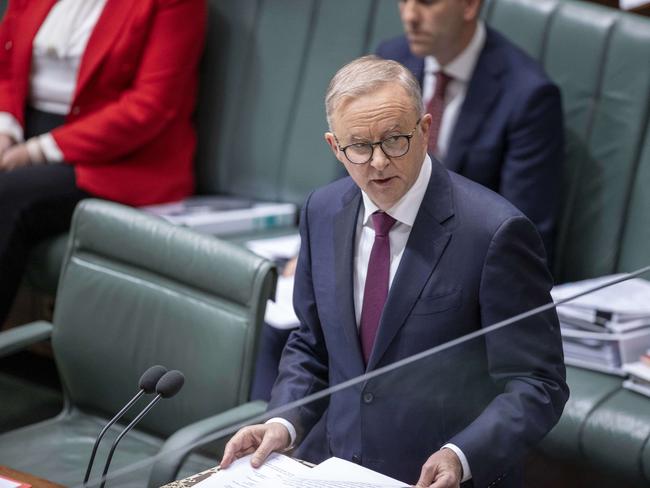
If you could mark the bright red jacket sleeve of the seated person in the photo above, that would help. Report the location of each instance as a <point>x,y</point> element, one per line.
<point>166,76</point>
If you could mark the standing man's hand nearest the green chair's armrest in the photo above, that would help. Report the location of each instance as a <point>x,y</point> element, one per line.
<point>262,439</point>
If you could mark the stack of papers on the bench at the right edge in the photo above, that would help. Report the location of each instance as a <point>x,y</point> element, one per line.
<point>605,329</point>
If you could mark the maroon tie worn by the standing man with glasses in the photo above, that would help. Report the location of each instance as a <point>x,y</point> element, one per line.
<point>376,289</point>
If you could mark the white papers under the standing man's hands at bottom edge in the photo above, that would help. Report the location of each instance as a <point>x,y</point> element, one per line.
<point>281,471</point>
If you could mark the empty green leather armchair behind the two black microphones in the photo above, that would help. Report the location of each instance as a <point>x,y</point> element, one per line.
<point>136,291</point>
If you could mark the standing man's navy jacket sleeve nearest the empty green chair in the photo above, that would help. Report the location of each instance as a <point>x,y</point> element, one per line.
<point>304,365</point>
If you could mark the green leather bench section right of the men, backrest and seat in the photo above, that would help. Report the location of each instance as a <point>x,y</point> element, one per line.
<point>600,59</point>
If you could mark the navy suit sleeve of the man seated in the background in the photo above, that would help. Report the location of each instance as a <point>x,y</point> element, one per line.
<point>531,171</point>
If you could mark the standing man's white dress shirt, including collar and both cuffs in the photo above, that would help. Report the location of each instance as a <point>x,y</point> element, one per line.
<point>404,212</point>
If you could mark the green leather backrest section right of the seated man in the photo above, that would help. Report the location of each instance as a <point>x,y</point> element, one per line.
<point>599,58</point>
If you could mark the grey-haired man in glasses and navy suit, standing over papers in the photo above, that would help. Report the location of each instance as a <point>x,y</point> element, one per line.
<point>398,258</point>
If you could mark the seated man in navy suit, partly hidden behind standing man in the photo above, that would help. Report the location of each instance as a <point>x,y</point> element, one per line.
<point>502,123</point>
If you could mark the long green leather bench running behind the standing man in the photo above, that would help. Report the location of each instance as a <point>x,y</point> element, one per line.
<point>261,121</point>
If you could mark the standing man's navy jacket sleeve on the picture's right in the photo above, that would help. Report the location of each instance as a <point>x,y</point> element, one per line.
<point>525,359</point>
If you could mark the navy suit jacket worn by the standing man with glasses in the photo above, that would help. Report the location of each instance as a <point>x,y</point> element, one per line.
<point>471,260</point>
